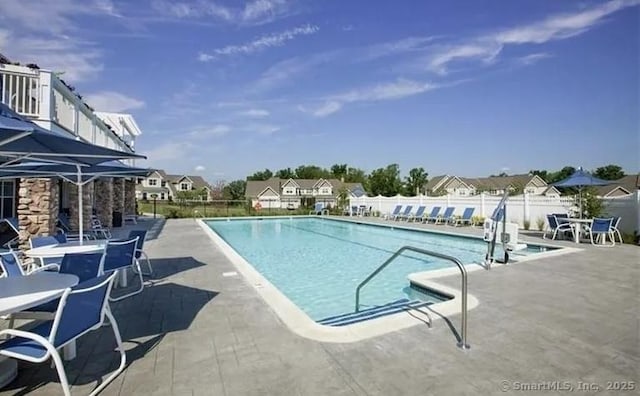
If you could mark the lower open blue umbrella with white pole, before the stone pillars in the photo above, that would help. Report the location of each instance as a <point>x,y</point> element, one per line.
<point>77,175</point>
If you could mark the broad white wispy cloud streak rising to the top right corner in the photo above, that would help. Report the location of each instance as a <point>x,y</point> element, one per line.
<point>556,27</point>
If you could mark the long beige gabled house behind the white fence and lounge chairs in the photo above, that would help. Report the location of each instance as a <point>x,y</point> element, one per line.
<point>494,185</point>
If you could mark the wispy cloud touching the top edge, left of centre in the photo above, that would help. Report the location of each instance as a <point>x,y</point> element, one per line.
<point>253,12</point>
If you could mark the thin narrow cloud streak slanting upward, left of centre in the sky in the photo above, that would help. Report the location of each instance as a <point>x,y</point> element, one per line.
<point>259,44</point>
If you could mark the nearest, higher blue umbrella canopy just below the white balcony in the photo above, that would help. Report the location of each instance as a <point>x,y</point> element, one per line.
<point>22,139</point>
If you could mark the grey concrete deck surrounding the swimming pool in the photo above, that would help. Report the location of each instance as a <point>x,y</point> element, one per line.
<point>201,330</point>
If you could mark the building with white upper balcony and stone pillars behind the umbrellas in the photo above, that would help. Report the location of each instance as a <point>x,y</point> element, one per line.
<point>42,96</point>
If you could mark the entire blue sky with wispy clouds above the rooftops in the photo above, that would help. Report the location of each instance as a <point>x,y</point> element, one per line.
<point>224,88</point>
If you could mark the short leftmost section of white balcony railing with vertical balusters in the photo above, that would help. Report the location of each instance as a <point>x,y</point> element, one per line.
<point>20,90</point>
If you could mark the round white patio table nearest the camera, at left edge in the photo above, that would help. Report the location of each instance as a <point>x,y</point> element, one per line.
<point>23,292</point>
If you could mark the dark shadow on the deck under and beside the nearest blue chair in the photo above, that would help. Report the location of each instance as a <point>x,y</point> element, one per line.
<point>144,321</point>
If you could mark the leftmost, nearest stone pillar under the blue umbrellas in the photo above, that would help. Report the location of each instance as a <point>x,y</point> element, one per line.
<point>38,201</point>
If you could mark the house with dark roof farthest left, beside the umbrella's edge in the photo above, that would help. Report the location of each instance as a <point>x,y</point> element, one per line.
<point>167,187</point>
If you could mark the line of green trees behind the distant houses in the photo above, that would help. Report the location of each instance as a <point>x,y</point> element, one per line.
<point>387,181</point>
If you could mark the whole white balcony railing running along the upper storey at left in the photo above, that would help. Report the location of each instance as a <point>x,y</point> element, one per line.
<point>42,96</point>
